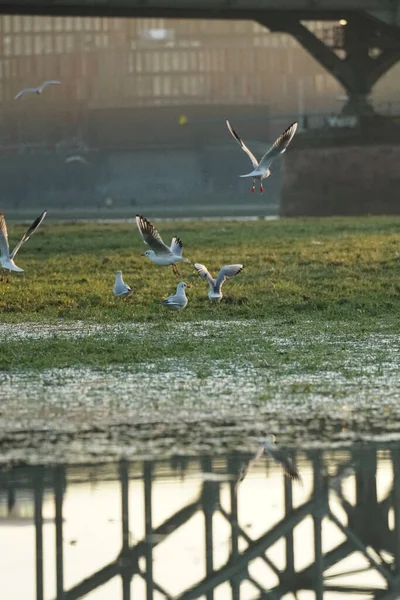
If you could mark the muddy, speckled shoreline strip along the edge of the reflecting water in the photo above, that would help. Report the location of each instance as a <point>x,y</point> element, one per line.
<point>73,443</point>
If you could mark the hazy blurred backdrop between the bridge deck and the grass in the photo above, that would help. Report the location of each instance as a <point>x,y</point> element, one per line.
<point>143,104</point>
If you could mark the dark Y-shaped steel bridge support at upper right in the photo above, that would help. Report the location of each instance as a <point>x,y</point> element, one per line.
<point>357,54</point>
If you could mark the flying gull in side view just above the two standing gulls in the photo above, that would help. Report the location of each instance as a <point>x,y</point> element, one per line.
<point>160,254</point>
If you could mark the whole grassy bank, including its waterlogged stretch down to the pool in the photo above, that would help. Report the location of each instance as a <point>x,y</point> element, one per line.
<point>306,340</point>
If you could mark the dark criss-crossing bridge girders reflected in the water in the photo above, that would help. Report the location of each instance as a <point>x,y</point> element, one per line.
<point>365,529</point>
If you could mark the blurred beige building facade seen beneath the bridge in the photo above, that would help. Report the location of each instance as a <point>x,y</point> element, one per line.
<point>130,63</point>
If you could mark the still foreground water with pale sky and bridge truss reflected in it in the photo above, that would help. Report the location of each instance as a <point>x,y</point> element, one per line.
<point>187,528</point>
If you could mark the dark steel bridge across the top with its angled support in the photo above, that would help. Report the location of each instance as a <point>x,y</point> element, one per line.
<point>364,45</point>
